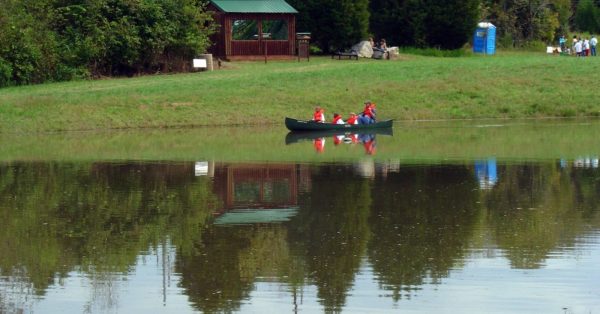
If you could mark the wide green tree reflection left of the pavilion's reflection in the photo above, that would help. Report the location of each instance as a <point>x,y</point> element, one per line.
<point>95,218</point>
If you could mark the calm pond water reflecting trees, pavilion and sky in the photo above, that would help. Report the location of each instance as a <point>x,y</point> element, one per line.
<point>462,218</point>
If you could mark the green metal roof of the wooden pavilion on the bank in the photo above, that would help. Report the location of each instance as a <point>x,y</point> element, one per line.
<point>254,6</point>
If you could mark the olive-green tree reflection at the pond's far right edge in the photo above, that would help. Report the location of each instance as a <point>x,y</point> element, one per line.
<point>536,209</point>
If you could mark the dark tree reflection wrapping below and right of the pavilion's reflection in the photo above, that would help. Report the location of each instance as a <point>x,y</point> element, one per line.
<point>323,244</point>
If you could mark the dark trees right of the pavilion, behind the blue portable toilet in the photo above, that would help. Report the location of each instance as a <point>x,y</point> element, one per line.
<point>442,24</point>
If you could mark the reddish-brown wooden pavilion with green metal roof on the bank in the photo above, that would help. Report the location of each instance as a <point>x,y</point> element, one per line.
<point>254,29</point>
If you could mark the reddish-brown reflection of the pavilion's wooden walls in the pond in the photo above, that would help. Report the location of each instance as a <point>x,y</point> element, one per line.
<point>255,186</point>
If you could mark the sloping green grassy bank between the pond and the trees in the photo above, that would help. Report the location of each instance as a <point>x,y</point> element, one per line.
<point>509,85</point>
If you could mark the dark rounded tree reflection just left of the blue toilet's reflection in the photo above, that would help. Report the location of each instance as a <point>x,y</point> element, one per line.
<point>422,222</point>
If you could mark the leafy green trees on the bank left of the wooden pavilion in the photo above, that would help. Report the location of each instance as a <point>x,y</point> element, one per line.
<point>57,40</point>
